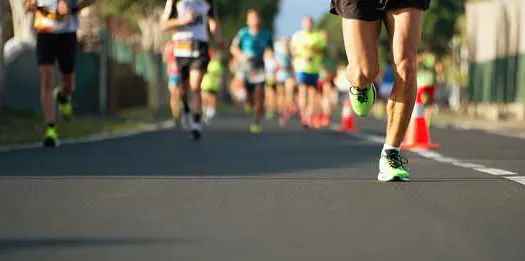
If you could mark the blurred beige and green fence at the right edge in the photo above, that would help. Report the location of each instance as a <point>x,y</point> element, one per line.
<point>496,31</point>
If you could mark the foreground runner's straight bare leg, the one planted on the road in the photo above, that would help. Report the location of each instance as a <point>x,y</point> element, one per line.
<point>404,28</point>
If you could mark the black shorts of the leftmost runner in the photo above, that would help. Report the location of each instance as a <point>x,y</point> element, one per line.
<point>57,47</point>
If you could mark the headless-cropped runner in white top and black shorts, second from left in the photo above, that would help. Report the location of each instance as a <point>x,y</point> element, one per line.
<point>189,20</point>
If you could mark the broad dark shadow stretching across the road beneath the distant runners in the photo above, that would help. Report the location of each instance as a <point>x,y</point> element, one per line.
<point>226,150</point>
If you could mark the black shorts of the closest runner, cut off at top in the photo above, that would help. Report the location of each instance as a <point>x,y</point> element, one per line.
<point>372,10</point>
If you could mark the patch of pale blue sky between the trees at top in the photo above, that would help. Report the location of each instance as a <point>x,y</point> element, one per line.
<point>291,12</point>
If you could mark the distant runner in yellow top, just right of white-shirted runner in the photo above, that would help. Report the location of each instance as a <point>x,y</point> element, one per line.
<point>210,85</point>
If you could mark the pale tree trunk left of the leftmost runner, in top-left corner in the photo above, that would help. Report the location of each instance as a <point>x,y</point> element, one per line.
<point>22,22</point>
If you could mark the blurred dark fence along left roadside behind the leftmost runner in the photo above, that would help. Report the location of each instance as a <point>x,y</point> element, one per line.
<point>113,74</point>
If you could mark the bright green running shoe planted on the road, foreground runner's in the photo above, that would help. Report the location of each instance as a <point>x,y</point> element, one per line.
<point>392,167</point>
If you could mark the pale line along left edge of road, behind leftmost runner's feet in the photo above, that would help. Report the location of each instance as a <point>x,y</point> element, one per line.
<point>97,137</point>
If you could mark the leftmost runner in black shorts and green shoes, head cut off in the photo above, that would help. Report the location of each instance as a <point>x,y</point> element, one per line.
<point>56,24</point>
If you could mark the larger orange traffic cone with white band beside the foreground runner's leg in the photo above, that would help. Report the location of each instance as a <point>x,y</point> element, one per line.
<point>418,133</point>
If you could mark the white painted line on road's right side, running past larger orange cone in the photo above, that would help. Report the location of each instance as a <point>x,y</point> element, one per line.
<point>456,162</point>
